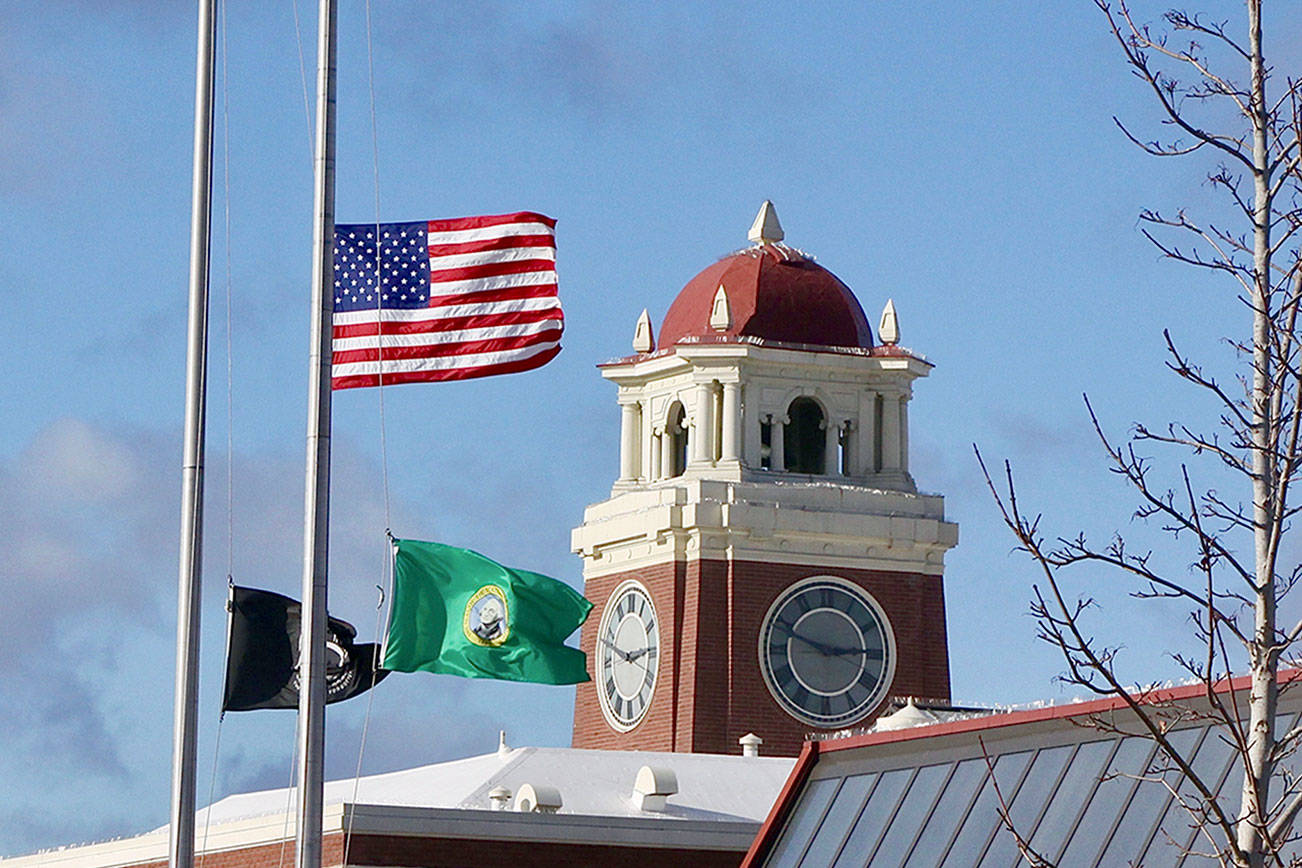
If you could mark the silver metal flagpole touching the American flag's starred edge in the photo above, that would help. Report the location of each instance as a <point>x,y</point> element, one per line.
<point>312,655</point>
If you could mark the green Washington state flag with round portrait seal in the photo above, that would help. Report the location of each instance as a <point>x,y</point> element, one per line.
<point>456,612</point>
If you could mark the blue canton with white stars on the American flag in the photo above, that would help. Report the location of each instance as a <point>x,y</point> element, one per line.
<point>404,262</point>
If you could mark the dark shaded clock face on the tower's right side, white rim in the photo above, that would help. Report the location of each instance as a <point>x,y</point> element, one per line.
<point>827,651</point>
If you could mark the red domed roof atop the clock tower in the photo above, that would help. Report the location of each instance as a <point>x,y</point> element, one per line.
<point>774,293</point>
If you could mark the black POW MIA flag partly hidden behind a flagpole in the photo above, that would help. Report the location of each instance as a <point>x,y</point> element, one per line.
<point>262,654</point>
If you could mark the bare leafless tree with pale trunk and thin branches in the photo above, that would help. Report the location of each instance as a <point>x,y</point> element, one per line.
<point>1235,601</point>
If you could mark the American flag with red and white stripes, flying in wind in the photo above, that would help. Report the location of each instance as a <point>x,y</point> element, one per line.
<point>445,300</point>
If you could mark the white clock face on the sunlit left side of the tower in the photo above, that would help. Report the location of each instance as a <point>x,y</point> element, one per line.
<point>628,655</point>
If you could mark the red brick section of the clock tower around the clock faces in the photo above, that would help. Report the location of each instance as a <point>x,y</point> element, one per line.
<point>710,692</point>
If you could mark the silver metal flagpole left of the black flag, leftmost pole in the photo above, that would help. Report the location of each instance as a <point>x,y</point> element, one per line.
<point>187,702</point>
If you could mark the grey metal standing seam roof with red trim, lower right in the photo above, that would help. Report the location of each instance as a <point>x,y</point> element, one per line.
<point>928,797</point>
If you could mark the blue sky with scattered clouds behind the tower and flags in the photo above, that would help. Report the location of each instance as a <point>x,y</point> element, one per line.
<point>962,161</point>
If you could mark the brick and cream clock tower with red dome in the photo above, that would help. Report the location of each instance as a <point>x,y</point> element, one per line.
<point>765,563</point>
